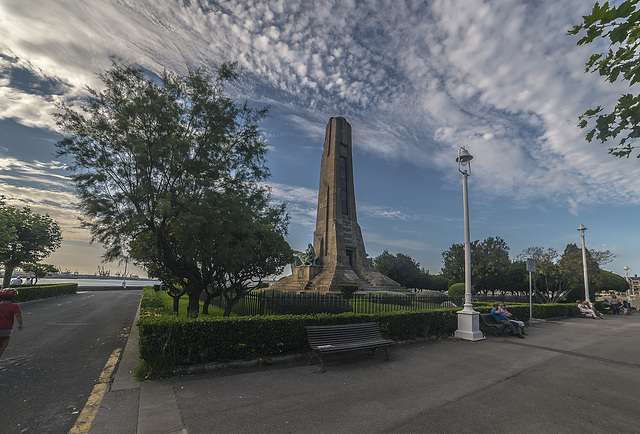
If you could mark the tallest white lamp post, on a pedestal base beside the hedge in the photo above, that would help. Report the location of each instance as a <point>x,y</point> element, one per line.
<point>468,319</point>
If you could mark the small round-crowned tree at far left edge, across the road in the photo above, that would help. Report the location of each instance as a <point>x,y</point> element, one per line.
<point>28,237</point>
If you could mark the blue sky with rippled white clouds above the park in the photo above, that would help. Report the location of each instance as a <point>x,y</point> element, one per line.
<point>416,80</point>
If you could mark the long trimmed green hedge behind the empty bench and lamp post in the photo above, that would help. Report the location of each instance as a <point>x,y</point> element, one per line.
<point>167,341</point>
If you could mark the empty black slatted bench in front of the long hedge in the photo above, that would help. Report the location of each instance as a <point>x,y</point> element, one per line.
<point>345,337</point>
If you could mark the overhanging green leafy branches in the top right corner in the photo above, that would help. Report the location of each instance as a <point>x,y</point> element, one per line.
<point>619,27</point>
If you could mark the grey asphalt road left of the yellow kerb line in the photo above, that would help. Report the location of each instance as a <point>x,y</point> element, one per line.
<point>49,369</point>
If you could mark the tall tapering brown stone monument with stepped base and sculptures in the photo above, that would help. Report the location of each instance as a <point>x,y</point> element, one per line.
<point>337,255</point>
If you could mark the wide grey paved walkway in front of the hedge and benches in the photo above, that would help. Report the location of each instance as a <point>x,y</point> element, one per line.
<point>568,375</point>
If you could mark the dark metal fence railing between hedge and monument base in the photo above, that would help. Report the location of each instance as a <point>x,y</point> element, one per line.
<point>287,303</point>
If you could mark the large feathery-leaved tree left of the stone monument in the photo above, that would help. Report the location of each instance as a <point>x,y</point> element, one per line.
<point>161,162</point>
